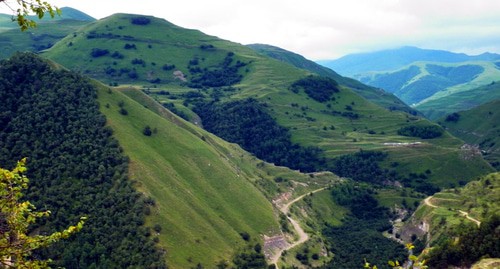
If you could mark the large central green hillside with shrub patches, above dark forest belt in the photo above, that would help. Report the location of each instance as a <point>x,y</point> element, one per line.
<point>183,68</point>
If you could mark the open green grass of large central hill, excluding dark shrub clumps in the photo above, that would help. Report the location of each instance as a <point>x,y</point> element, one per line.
<point>311,123</point>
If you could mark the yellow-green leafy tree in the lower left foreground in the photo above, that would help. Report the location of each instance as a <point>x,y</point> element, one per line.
<point>16,215</point>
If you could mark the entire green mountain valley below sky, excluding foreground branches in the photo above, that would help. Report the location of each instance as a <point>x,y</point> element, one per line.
<point>190,151</point>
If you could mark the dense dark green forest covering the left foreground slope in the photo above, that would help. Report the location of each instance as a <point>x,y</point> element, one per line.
<point>76,168</point>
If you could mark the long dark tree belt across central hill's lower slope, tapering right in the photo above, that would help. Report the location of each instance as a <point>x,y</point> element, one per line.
<point>247,123</point>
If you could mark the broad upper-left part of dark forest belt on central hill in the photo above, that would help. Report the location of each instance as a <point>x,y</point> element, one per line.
<point>247,123</point>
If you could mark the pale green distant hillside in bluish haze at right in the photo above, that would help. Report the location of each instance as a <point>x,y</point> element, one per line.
<point>410,82</point>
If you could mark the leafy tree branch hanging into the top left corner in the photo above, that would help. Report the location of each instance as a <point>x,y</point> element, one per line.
<point>25,7</point>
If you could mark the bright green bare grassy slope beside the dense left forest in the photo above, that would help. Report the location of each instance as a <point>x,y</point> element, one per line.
<point>204,198</point>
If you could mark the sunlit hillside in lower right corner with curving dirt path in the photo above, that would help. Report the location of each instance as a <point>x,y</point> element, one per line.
<point>460,225</point>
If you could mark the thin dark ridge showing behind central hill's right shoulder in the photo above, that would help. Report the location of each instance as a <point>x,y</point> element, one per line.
<point>374,95</point>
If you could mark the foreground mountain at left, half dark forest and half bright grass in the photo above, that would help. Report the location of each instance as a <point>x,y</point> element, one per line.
<point>201,200</point>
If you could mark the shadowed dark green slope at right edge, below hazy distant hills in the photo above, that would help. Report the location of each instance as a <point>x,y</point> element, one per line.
<point>479,126</point>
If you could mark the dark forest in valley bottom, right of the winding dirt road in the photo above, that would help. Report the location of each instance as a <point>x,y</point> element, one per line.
<point>360,236</point>
